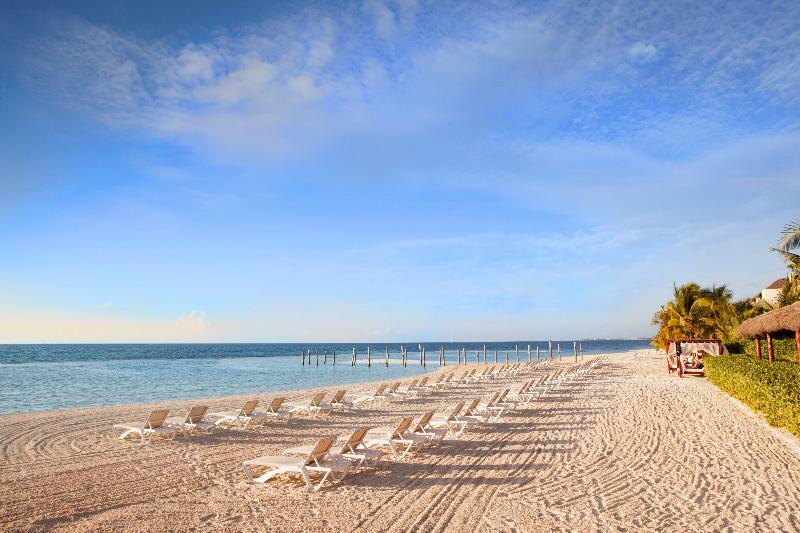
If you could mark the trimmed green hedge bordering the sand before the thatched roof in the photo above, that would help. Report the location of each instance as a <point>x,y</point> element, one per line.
<point>772,389</point>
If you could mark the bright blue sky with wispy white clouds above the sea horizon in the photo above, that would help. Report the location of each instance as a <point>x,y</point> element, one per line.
<point>387,170</point>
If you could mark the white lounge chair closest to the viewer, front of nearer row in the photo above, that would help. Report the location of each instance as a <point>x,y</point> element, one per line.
<point>318,461</point>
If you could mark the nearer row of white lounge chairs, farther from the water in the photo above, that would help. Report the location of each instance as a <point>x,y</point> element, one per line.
<point>363,447</point>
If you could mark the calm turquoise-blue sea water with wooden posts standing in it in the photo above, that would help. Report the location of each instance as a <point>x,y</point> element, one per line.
<point>59,376</point>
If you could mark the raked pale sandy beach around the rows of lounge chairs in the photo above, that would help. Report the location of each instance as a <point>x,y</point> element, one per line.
<point>626,447</point>
